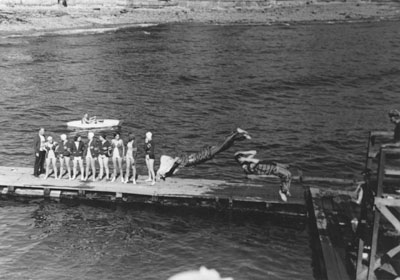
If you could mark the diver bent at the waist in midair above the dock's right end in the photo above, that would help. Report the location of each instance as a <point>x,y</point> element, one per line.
<point>254,166</point>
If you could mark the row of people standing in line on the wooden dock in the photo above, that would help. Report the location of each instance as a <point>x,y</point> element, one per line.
<point>96,148</point>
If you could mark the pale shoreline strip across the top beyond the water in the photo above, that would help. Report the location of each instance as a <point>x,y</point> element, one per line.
<point>59,20</point>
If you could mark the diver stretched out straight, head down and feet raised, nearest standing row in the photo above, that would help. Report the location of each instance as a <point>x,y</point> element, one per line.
<point>169,165</point>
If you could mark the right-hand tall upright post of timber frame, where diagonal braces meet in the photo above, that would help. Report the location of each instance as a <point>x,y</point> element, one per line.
<point>377,216</point>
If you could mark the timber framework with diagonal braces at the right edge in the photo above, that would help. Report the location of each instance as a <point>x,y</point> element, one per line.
<point>380,203</point>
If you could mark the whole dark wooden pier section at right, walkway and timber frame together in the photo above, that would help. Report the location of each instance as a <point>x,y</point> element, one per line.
<point>359,231</point>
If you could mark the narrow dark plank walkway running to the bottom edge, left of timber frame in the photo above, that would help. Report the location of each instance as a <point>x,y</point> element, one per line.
<point>334,265</point>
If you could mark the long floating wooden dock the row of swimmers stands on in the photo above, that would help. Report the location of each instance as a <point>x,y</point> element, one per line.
<point>246,194</point>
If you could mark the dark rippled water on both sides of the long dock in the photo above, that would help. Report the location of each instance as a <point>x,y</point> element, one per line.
<point>308,94</point>
